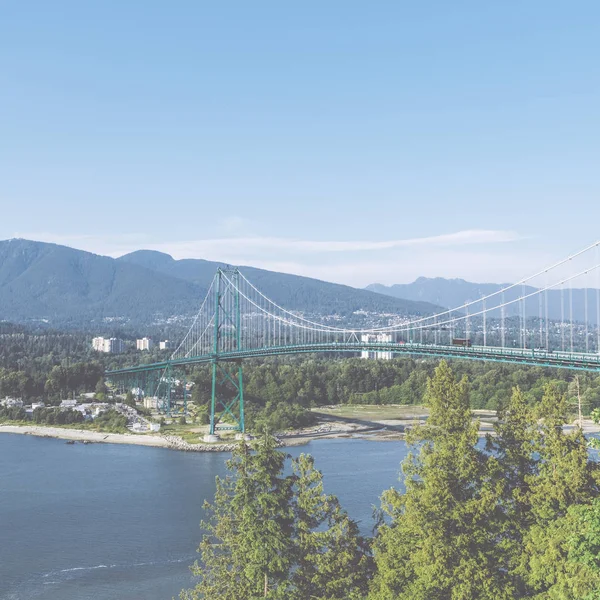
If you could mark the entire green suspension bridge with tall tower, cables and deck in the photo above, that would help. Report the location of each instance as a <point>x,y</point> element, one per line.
<point>548,319</point>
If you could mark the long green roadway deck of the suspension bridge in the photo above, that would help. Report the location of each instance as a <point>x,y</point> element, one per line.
<point>526,356</point>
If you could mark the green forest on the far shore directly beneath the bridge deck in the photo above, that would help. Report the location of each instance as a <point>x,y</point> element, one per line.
<point>276,391</point>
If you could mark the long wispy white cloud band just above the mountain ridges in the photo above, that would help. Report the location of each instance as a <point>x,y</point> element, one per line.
<point>477,254</point>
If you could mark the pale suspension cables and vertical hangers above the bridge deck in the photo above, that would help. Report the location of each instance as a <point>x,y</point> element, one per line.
<point>266,323</point>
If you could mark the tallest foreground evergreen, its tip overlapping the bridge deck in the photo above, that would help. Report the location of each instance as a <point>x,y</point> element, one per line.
<point>437,543</point>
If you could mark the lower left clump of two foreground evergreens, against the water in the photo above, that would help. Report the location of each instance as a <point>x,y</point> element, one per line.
<point>278,537</point>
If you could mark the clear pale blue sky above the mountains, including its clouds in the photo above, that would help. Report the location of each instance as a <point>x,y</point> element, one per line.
<point>350,141</point>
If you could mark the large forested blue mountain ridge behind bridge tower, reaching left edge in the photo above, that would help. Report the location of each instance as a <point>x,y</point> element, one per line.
<point>64,286</point>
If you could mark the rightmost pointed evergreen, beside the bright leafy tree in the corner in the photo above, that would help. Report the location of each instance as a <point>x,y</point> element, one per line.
<point>566,481</point>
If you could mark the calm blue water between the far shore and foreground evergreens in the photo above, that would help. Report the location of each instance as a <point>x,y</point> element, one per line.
<point>104,522</point>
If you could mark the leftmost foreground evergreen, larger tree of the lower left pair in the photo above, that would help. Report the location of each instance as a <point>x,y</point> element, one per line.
<point>246,552</point>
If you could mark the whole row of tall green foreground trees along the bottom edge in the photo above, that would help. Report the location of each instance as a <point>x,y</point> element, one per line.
<point>518,518</point>
